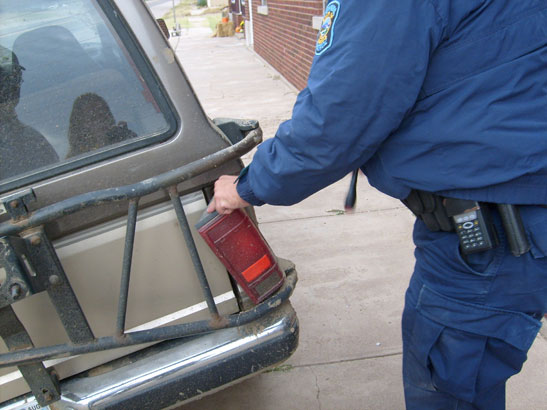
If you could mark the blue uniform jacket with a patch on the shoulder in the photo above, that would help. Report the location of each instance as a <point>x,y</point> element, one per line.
<point>446,96</point>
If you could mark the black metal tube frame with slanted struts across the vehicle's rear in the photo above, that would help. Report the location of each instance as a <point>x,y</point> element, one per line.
<point>168,181</point>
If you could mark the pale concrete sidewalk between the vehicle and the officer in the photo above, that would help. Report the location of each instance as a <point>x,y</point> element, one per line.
<point>353,268</point>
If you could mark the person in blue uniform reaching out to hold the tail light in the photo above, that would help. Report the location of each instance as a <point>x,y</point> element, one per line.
<point>448,97</point>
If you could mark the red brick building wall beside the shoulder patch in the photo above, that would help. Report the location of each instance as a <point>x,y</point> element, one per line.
<point>285,37</point>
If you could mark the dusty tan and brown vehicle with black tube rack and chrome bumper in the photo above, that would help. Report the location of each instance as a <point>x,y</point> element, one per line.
<point>109,298</point>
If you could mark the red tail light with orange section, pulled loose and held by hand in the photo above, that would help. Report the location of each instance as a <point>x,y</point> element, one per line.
<point>237,242</point>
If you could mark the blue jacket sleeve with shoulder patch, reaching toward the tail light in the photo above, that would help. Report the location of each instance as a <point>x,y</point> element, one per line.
<point>364,79</point>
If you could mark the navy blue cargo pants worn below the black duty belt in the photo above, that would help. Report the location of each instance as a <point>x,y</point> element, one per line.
<point>469,321</point>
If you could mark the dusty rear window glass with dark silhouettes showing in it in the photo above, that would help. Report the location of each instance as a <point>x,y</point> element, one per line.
<point>70,92</point>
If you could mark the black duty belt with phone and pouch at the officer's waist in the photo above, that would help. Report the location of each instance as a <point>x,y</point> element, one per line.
<point>471,220</point>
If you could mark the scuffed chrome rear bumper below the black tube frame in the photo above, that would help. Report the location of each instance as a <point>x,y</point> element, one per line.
<point>181,370</point>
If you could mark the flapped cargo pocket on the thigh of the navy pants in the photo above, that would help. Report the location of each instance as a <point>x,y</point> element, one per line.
<point>467,349</point>
